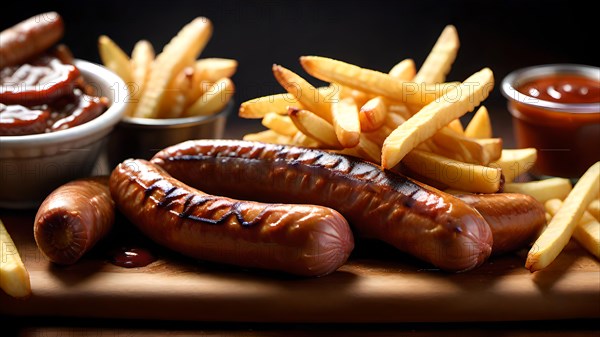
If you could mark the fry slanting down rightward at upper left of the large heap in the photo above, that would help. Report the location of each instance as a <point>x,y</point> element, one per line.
<point>307,95</point>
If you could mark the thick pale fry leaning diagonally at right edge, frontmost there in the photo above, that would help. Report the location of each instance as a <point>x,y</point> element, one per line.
<point>558,232</point>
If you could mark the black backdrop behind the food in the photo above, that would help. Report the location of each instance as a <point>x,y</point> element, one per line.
<point>374,34</point>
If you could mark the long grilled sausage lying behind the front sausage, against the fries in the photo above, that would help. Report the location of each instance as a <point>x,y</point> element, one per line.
<point>415,218</point>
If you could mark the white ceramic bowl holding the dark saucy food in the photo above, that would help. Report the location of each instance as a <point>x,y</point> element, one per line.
<point>32,166</point>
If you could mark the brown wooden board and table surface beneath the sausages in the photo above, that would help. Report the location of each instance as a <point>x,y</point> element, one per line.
<point>380,291</point>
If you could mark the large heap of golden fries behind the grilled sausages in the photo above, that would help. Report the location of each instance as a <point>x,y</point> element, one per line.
<point>409,121</point>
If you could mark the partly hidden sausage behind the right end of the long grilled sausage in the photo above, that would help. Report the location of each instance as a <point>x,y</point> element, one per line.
<point>515,219</point>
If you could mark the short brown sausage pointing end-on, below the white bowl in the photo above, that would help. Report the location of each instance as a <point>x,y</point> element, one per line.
<point>73,218</point>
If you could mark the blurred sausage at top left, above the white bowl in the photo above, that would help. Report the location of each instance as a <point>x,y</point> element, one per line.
<point>29,38</point>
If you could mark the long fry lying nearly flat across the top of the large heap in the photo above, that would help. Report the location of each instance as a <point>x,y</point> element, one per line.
<point>374,82</point>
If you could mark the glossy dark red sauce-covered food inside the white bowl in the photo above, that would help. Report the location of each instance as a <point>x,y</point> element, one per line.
<point>45,95</point>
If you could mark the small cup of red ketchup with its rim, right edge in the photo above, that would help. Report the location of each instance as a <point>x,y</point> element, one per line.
<point>556,109</point>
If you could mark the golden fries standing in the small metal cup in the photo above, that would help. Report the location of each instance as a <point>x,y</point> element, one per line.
<point>173,83</point>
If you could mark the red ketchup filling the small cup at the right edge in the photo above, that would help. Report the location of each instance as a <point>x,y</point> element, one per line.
<point>567,142</point>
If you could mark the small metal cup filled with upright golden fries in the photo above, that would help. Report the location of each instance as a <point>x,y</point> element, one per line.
<point>173,96</point>
